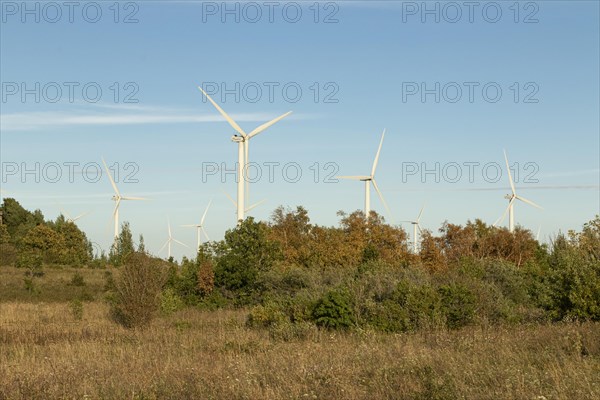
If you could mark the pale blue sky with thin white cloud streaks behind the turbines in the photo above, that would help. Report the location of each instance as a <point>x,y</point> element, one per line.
<point>367,62</point>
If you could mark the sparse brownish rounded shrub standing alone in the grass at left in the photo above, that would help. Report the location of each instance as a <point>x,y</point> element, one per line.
<point>137,290</point>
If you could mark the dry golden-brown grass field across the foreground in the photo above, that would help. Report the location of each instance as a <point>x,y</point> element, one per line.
<point>46,354</point>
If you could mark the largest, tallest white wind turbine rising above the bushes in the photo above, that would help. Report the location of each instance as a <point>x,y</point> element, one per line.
<point>243,143</point>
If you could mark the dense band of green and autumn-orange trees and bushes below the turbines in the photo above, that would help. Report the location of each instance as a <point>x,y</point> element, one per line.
<point>293,275</point>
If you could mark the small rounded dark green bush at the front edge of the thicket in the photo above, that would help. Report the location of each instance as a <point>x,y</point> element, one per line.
<point>334,310</point>
